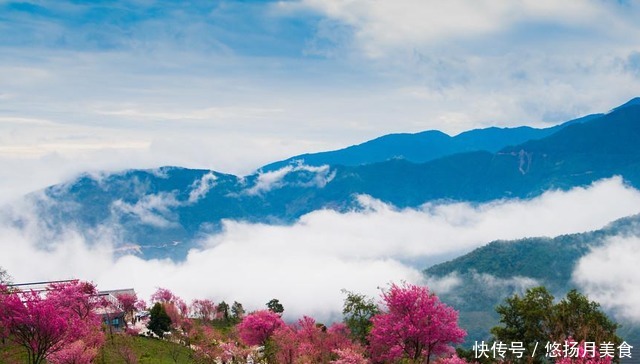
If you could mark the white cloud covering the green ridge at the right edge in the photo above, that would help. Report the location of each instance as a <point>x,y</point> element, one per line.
<point>608,274</point>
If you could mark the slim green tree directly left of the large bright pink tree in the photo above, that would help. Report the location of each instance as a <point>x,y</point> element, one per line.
<point>357,311</point>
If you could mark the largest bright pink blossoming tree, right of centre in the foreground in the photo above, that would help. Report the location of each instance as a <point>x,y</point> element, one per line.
<point>415,326</point>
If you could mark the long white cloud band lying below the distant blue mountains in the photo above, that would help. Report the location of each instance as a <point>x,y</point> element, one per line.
<point>305,265</point>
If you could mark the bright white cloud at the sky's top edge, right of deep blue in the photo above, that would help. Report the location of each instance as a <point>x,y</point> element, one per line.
<point>382,27</point>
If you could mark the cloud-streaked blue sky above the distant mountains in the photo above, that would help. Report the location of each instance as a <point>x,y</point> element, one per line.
<point>231,85</point>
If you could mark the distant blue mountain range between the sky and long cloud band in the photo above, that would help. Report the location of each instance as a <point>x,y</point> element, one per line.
<point>164,211</point>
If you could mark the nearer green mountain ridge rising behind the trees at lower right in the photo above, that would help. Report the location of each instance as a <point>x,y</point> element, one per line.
<point>490,273</point>
